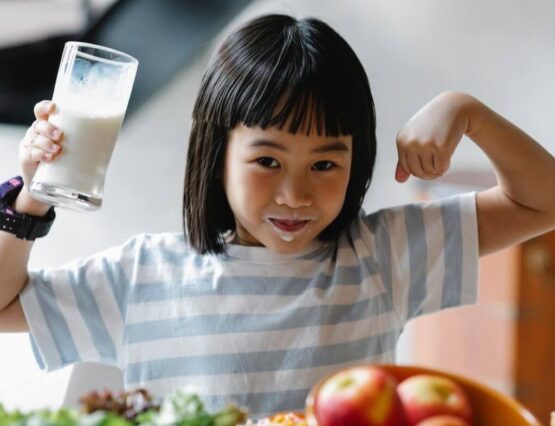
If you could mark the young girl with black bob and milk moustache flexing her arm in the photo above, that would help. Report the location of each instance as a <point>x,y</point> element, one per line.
<point>280,278</point>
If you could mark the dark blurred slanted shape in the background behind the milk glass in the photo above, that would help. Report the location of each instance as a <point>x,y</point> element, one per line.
<point>164,35</point>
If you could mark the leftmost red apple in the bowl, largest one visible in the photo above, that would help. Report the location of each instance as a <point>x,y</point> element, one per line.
<point>359,396</point>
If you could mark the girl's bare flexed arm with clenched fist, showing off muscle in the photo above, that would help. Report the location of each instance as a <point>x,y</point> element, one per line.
<point>522,205</point>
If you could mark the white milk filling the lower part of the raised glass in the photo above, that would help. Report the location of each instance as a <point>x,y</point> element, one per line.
<point>87,146</point>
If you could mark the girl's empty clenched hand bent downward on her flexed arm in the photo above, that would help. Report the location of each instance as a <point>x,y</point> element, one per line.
<point>427,141</point>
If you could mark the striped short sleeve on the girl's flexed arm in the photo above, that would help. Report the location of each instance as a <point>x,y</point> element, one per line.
<point>427,254</point>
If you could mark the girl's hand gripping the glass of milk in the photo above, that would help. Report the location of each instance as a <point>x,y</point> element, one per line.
<point>40,143</point>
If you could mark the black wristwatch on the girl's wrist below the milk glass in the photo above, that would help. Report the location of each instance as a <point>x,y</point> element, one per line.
<point>24,226</point>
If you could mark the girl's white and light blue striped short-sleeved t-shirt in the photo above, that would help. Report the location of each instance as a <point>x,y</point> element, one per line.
<point>255,327</point>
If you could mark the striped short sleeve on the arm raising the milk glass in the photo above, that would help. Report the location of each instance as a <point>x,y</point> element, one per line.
<point>76,312</point>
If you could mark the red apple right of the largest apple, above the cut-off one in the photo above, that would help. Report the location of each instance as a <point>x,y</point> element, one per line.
<point>427,395</point>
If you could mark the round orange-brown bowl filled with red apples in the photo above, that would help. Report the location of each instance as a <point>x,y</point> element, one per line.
<point>398,395</point>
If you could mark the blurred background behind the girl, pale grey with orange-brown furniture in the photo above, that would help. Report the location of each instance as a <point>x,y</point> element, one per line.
<point>500,51</point>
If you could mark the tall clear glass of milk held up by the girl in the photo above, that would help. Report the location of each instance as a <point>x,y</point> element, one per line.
<point>91,94</point>
